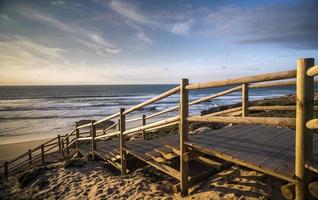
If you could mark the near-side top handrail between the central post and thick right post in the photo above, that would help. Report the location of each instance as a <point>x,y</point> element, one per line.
<point>248,79</point>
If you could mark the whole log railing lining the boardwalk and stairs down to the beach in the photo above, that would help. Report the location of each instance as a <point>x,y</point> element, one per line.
<point>303,122</point>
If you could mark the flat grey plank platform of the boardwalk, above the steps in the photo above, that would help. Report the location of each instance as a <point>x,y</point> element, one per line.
<point>268,149</point>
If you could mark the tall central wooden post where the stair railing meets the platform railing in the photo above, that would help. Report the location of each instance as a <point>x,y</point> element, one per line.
<point>183,131</point>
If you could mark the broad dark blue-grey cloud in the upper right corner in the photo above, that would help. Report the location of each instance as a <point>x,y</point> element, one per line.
<point>289,24</point>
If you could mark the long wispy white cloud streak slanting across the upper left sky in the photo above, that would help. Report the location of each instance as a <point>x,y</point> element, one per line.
<point>91,38</point>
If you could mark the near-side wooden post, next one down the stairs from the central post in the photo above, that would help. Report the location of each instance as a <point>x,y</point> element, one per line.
<point>122,142</point>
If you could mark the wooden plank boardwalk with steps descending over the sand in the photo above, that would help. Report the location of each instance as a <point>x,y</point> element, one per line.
<point>264,148</point>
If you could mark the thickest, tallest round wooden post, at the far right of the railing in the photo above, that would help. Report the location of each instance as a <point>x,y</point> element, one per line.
<point>304,112</point>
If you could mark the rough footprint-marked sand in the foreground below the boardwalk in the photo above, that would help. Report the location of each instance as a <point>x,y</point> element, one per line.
<point>95,180</point>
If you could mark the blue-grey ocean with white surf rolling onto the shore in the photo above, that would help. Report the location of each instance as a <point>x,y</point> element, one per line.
<point>38,112</point>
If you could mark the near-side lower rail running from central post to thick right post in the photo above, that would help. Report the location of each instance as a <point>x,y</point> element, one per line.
<point>276,121</point>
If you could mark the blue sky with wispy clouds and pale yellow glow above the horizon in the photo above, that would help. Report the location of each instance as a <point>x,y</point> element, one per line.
<point>69,42</point>
